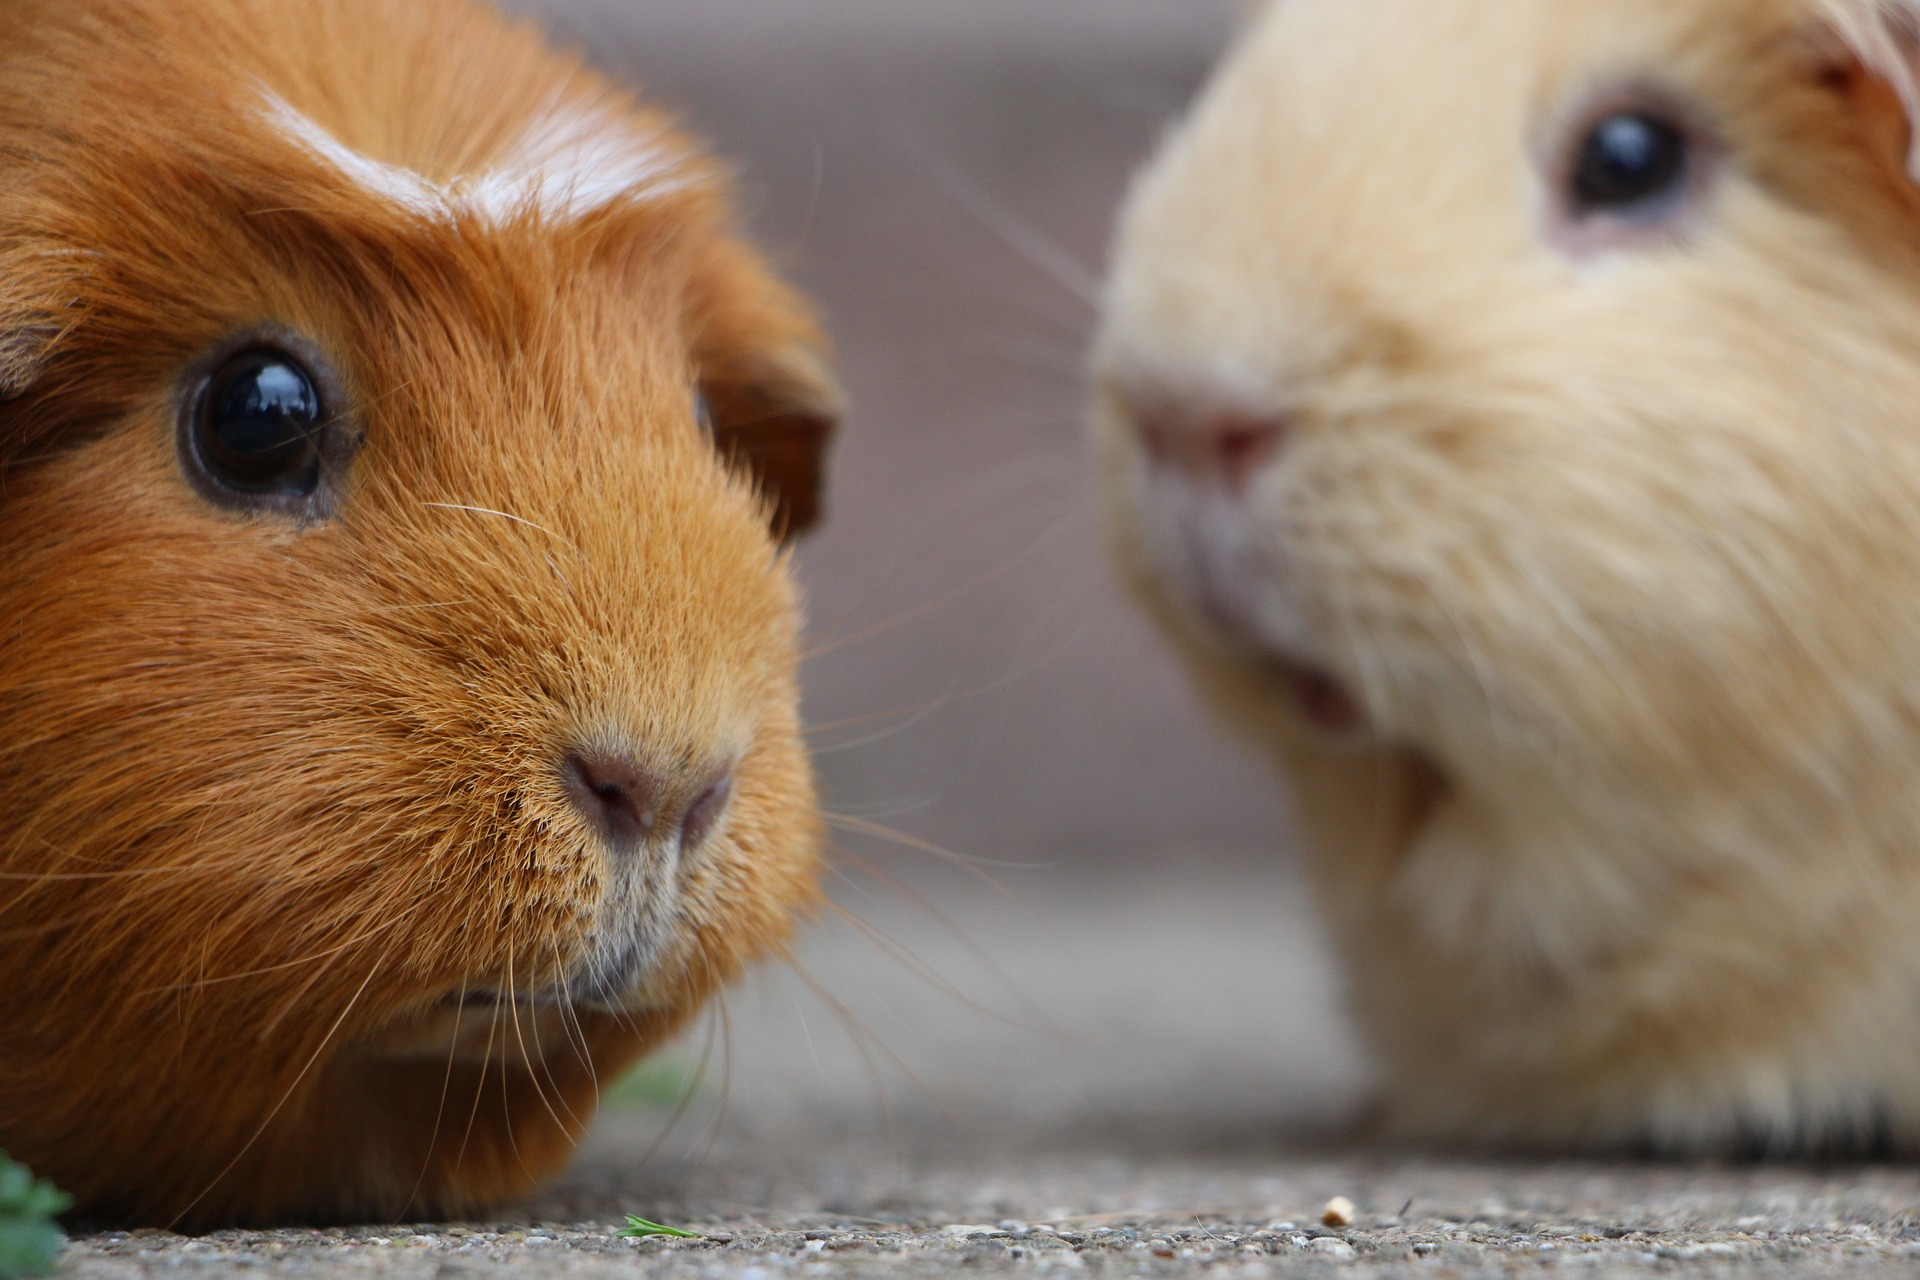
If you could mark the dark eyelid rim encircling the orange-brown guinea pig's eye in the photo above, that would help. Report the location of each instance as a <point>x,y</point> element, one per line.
<point>341,437</point>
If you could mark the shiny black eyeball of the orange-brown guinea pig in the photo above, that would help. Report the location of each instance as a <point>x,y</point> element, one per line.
<point>258,425</point>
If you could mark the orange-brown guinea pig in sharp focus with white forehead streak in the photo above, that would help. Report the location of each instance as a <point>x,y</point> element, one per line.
<point>398,723</point>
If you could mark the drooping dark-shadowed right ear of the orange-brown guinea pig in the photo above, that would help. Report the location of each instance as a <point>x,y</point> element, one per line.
<point>775,415</point>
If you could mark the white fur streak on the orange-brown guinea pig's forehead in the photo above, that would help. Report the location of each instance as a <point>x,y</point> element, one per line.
<point>567,164</point>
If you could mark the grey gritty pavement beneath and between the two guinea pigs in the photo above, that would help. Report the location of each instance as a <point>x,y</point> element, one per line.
<point>1068,1079</point>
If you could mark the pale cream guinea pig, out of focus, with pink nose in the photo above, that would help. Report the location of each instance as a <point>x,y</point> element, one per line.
<point>1514,414</point>
